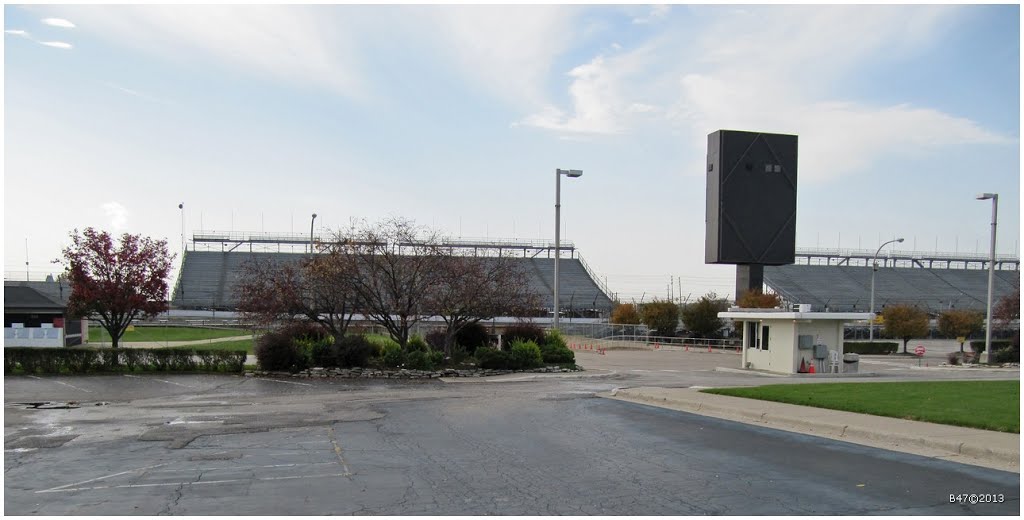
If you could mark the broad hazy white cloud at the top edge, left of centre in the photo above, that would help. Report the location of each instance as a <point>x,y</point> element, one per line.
<point>294,45</point>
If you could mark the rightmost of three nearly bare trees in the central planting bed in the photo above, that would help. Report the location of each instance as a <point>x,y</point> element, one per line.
<point>474,289</point>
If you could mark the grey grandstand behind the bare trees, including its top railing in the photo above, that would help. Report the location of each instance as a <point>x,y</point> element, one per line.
<point>211,270</point>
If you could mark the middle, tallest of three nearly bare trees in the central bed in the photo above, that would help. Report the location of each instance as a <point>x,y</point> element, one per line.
<point>397,268</point>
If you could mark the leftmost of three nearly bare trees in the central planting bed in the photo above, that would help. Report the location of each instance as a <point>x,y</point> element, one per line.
<point>317,289</point>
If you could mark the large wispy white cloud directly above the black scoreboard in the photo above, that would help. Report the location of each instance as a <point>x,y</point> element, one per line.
<point>779,77</point>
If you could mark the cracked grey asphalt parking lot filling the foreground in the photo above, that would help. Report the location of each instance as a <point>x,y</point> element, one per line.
<point>196,445</point>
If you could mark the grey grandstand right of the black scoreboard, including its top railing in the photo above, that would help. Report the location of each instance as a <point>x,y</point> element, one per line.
<point>840,281</point>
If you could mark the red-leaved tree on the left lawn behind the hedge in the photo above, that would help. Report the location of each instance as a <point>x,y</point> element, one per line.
<point>116,284</point>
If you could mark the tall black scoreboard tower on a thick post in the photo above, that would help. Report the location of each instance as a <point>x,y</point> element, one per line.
<point>752,203</point>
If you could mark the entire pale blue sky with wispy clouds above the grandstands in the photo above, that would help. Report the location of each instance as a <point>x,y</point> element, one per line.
<point>457,117</point>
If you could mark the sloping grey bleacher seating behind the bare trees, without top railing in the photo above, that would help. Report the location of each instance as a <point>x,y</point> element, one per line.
<point>208,279</point>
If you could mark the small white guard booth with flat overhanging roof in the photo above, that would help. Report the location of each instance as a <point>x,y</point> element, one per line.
<point>780,340</point>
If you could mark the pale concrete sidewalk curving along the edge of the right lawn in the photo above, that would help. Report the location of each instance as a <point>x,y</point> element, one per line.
<point>967,446</point>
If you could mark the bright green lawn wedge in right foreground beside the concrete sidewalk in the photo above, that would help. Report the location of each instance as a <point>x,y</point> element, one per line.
<point>984,405</point>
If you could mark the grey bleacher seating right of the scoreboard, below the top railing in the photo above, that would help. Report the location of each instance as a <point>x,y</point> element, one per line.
<point>848,289</point>
